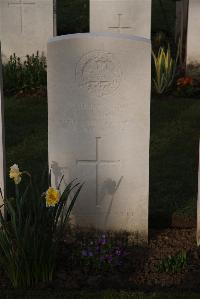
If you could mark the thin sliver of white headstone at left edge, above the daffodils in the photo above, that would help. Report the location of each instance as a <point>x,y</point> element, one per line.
<point>2,136</point>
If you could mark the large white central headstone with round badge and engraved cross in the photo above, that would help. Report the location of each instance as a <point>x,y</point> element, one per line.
<point>99,126</point>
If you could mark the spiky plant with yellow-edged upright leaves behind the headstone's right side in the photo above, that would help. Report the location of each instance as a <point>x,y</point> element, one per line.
<point>164,70</point>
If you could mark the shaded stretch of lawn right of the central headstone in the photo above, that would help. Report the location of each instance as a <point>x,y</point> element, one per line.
<point>175,131</point>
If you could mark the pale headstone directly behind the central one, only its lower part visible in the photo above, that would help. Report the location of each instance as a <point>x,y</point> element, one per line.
<point>131,17</point>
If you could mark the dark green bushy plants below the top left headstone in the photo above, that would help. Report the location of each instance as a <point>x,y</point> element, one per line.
<point>26,75</point>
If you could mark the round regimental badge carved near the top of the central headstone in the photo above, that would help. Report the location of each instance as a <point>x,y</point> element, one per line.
<point>99,73</point>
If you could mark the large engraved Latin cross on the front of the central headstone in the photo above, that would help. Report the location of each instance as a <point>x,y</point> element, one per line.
<point>97,162</point>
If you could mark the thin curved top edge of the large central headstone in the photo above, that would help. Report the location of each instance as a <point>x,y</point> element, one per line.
<point>105,34</point>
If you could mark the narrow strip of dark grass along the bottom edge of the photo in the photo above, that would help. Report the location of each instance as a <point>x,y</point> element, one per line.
<point>94,295</point>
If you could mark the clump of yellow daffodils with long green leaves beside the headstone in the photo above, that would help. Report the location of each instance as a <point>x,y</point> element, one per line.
<point>30,235</point>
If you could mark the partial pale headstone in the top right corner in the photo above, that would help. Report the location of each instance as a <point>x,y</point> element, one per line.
<point>193,40</point>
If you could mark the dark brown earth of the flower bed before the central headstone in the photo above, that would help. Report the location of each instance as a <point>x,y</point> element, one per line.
<point>139,268</point>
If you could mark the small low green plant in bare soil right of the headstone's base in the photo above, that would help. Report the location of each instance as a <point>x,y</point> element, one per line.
<point>173,264</point>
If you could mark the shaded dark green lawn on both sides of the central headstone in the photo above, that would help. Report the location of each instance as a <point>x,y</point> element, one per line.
<point>175,130</point>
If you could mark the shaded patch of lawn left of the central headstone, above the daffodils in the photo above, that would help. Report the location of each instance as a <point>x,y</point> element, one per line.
<point>26,135</point>
